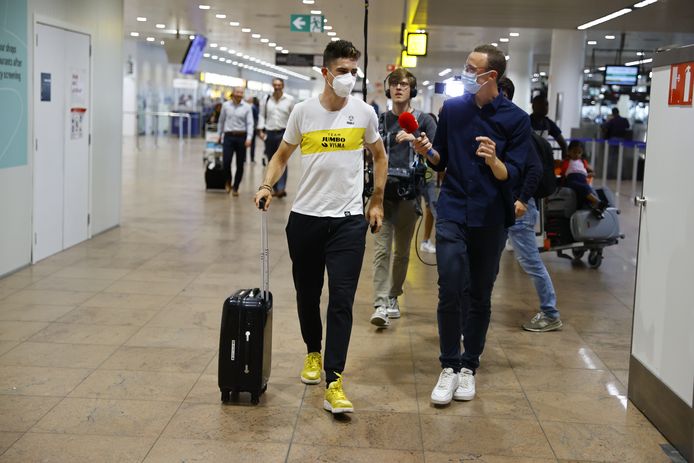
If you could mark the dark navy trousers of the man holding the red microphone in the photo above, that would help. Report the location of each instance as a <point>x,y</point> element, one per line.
<point>468,262</point>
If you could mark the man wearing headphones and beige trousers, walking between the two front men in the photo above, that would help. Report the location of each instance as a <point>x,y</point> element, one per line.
<point>401,207</point>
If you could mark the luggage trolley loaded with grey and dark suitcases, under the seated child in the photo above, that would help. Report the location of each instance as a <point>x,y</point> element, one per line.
<point>565,227</point>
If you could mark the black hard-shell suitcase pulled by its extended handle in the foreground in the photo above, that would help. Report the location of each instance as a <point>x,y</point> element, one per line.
<point>245,339</point>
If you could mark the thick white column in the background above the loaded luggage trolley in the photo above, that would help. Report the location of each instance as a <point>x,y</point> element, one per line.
<point>566,66</point>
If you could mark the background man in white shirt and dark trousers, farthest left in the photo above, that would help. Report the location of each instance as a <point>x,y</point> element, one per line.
<point>235,132</point>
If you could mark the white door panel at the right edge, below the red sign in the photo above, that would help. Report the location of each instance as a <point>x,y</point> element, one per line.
<point>663,313</point>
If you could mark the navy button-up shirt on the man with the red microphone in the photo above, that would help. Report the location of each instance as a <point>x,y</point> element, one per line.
<point>470,193</point>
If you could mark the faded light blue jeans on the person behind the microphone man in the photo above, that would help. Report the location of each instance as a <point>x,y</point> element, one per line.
<point>522,236</point>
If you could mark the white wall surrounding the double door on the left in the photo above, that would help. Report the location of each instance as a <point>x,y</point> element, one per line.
<point>103,20</point>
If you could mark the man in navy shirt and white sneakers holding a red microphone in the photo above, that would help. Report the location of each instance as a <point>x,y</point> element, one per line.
<point>481,141</point>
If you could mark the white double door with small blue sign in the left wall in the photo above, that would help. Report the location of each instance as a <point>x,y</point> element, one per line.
<point>61,130</point>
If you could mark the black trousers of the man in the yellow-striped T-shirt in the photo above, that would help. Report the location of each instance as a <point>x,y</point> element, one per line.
<point>317,243</point>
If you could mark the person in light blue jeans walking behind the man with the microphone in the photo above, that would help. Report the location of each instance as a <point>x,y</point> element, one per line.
<point>522,233</point>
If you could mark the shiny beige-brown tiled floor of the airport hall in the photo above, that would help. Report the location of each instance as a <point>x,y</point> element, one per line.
<point>108,349</point>
